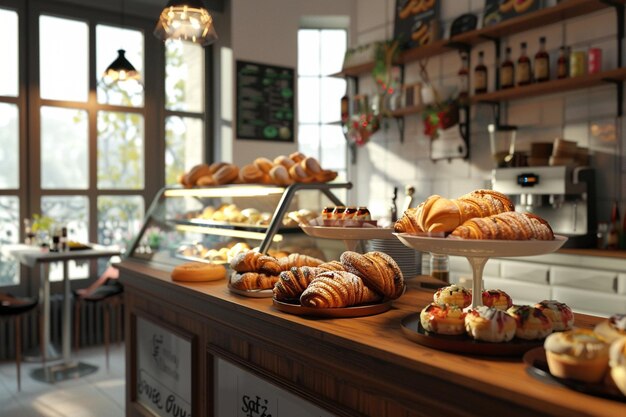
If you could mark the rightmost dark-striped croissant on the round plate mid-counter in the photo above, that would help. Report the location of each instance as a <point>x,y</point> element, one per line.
<point>378,270</point>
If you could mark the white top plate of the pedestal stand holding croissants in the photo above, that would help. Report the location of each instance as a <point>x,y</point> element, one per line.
<point>481,248</point>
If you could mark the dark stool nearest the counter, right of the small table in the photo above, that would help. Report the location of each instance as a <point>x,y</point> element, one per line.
<point>111,295</point>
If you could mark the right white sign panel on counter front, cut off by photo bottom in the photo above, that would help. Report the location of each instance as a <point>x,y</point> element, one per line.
<point>239,393</point>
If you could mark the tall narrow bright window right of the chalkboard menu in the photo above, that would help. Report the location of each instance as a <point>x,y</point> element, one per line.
<point>320,54</point>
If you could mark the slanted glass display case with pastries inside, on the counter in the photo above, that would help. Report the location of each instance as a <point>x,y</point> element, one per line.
<point>212,224</point>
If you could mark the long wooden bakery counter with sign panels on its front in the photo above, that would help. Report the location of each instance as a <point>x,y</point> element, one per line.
<point>230,355</point>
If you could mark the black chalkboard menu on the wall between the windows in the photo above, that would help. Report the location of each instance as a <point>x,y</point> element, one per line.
<point>265,102</point>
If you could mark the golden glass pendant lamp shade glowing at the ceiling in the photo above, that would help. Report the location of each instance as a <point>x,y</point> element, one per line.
<point>186,20</point>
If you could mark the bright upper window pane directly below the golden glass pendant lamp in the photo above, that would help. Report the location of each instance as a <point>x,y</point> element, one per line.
<point>184,77</point>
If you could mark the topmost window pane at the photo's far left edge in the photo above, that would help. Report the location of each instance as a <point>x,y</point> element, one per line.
<point>9,53</point>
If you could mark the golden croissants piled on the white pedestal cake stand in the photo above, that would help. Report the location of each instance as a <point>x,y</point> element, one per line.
<point>481,214</point>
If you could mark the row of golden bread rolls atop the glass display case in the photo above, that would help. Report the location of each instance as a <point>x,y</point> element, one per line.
<point>282,170</point>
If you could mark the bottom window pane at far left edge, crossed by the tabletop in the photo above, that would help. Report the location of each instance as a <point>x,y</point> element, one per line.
<point>9,233</point>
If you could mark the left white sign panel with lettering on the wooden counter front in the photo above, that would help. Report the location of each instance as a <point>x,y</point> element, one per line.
<point>163,370</point>
